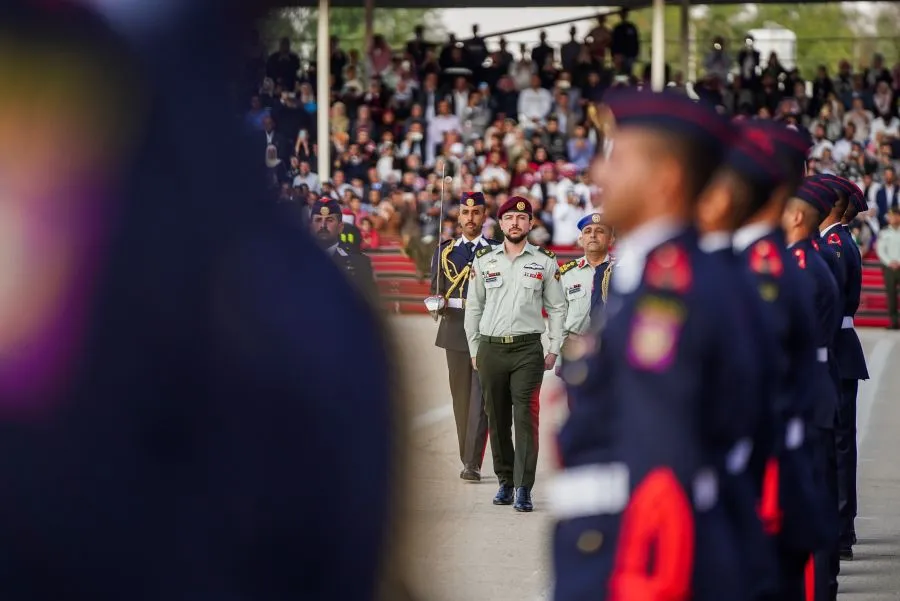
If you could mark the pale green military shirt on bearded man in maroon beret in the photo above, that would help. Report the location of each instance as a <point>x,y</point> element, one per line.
<point>505,297</point>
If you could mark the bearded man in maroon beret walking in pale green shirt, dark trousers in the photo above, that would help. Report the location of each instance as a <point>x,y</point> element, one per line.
<point>510,285</point>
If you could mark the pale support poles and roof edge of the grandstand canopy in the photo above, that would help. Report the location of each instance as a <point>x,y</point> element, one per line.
<point>657,40</point>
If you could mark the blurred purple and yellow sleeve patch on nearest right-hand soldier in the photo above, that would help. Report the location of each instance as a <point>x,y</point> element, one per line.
<point>655,331</point>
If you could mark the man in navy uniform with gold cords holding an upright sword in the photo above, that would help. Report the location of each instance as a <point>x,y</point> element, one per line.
<point>450,270</point>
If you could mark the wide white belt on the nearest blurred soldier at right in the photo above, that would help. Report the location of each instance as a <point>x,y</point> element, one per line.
<point>589,490</point>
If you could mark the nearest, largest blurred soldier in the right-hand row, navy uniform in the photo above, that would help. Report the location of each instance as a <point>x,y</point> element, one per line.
<point>658,408</point>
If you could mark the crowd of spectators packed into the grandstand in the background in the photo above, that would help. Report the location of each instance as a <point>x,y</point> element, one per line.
<point>401,118</point>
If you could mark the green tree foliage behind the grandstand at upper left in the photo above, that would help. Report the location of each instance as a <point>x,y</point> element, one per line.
<point>397,25</point>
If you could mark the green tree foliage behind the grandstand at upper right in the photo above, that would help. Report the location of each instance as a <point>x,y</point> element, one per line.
<point>826,33</point>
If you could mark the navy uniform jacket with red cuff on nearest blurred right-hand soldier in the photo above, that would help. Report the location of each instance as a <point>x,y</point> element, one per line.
<point>661,406</point>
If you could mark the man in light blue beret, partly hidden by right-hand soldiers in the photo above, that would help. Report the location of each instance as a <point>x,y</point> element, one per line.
<point>585,281</point>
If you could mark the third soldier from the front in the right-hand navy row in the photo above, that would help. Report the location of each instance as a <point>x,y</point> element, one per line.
<point>762,172</point>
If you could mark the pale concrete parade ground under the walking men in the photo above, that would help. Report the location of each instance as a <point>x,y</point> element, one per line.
<point>462,547</point>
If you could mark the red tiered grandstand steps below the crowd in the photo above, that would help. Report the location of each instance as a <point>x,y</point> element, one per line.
<point>403,292</point>
